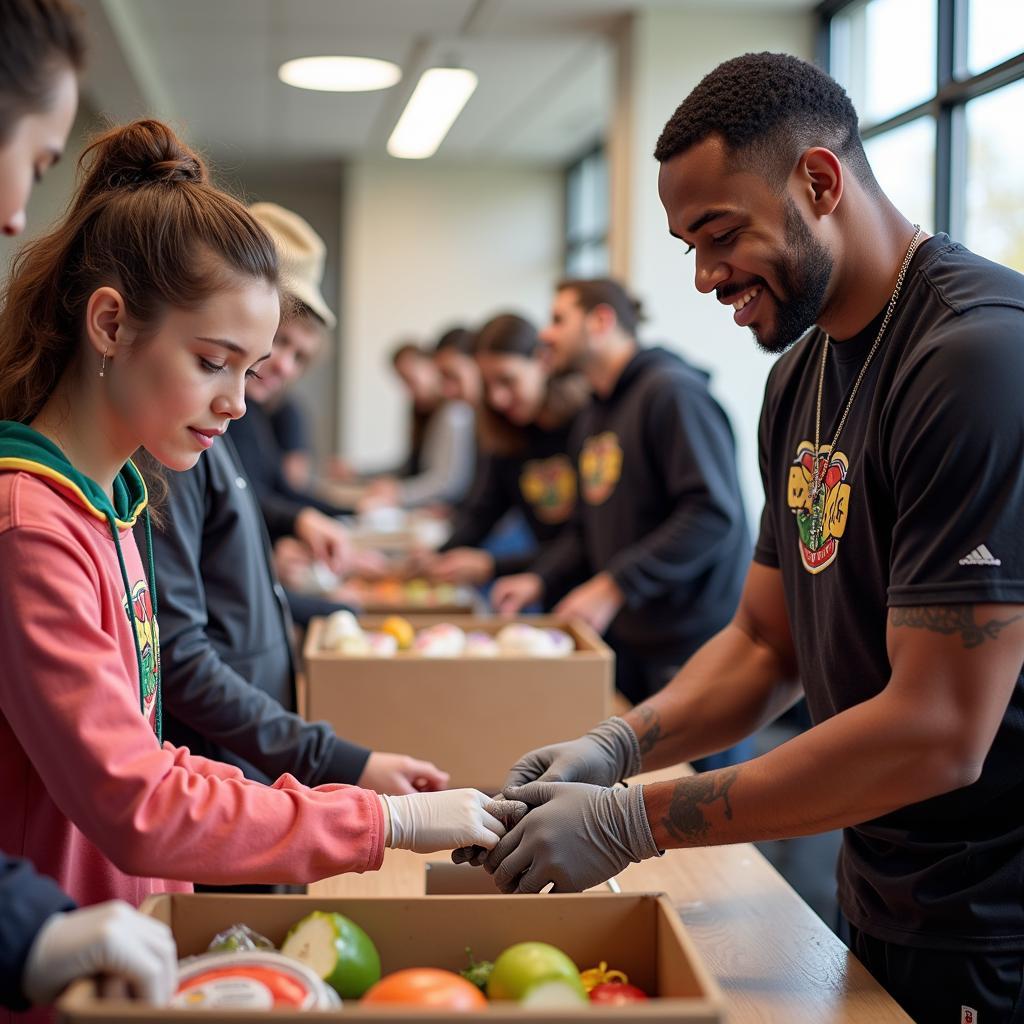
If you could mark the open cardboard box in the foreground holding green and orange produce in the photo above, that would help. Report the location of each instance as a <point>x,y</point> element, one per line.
<point>638,933</point>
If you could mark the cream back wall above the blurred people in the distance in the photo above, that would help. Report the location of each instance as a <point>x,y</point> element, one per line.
<point>426,246</point>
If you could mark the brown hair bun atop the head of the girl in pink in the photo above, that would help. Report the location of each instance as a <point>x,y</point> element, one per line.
<point>139,154</point>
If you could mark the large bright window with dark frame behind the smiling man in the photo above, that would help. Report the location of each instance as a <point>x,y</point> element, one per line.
<point>940,88</point>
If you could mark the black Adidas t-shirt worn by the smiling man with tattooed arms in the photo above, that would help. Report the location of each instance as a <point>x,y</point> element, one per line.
<point>924,506</point>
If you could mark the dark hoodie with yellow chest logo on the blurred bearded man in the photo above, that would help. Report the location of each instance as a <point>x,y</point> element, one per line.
<point>660,509</point>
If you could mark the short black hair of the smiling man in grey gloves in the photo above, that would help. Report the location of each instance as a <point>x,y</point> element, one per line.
<point>769,109</point>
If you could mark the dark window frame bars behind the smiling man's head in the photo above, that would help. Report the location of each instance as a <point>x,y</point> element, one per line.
<point>955,88</point>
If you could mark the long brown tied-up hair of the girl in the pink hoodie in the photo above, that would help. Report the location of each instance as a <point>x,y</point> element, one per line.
<point>145,221</point>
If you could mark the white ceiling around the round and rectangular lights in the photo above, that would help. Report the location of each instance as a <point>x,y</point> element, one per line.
<point>545,72</point>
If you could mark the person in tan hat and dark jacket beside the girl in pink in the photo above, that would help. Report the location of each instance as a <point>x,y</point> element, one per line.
<point>229,664</point>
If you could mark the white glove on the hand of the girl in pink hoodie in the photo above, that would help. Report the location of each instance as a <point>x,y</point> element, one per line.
<point>430,823</point>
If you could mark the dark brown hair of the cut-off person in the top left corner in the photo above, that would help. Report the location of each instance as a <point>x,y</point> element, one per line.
<point>37,38</point>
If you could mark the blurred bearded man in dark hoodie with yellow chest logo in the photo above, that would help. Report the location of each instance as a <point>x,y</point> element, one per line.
<point>656,554</point>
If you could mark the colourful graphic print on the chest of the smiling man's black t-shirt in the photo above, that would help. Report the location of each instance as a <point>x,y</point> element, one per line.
<point>821,528</point>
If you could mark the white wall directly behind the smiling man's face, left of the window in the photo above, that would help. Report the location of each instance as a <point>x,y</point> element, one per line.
<point>666,55</point>
